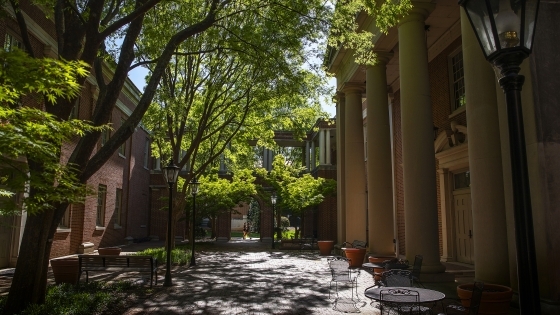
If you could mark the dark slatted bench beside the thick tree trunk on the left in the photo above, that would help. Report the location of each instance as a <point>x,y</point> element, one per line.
<point>89,263</point>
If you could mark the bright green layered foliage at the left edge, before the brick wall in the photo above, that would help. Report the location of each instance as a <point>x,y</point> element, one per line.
<point>29,134</point>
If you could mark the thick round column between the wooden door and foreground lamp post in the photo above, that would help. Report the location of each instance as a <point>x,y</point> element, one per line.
<point>485,163</point>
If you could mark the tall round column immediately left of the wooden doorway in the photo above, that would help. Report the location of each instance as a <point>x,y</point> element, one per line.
<point>420,201</point>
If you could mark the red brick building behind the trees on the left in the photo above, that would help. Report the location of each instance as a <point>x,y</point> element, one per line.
<point>119,208</point>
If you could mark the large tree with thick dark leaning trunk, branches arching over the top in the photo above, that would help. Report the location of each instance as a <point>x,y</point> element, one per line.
<point>87,31</point>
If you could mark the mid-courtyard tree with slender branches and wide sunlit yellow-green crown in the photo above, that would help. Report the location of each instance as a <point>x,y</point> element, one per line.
<point>226,87</point>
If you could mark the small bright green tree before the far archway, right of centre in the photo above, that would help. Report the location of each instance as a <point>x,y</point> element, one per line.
<point>297,191</point>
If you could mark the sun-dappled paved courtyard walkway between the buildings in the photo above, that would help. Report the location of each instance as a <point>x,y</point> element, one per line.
<point>246,277</point>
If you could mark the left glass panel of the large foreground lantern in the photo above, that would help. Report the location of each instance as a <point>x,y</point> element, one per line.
<point>481,21</point>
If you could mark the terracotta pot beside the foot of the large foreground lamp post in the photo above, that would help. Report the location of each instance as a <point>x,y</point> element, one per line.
<point>495,298</point>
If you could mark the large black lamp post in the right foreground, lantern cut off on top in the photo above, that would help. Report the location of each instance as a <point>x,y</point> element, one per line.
<point>505,31</point>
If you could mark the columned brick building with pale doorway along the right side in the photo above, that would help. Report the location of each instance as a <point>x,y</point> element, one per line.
<point>423,151</point>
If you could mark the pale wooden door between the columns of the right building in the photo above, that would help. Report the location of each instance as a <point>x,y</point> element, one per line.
<point>463,227</point>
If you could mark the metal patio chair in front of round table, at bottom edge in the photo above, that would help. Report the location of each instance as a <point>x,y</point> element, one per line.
<point>401,301</point>
